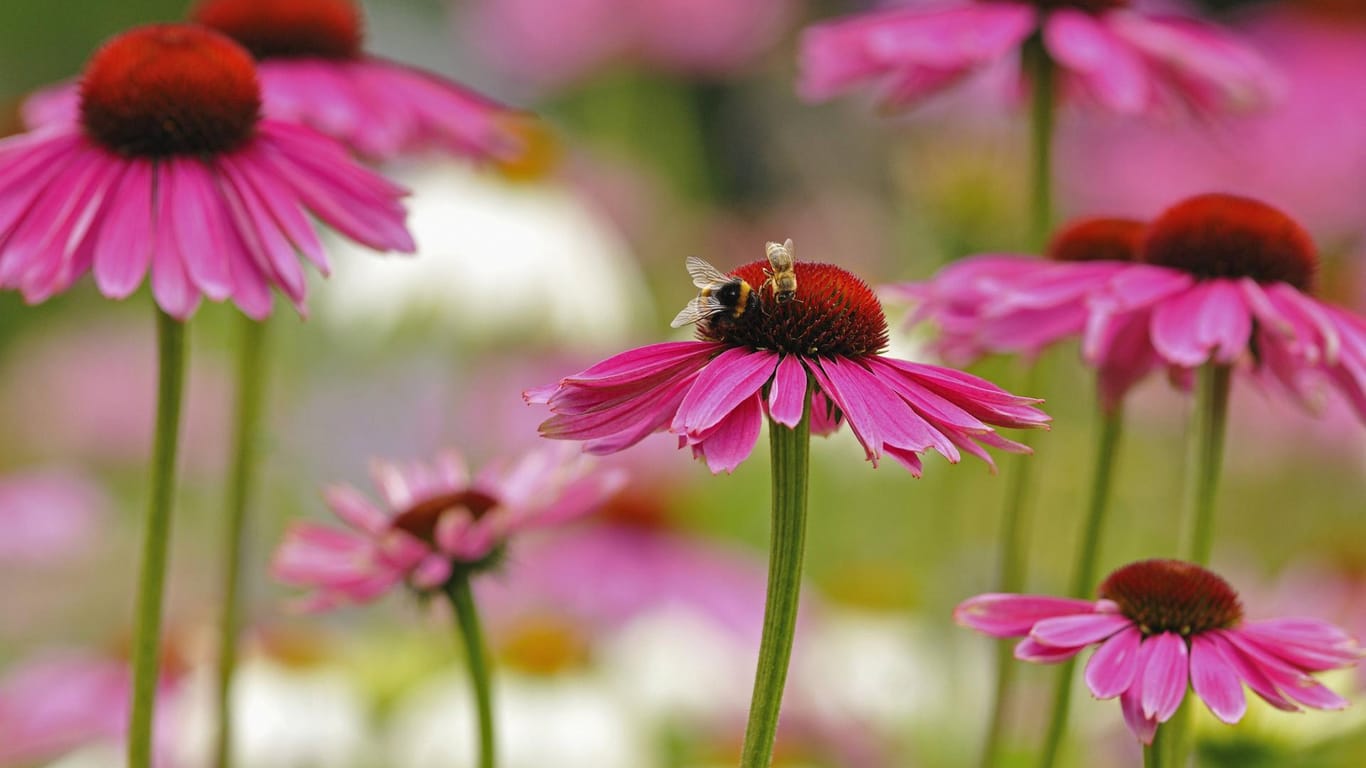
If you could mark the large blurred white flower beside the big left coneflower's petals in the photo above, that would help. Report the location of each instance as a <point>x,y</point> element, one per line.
<point>495,259</point>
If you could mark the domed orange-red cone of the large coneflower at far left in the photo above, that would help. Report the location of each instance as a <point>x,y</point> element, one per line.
<point>170,90</point>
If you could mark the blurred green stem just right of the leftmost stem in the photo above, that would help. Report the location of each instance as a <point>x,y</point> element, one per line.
<point>242,480</point>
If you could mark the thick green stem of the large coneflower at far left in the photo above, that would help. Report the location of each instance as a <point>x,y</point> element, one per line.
<point>147,644</point>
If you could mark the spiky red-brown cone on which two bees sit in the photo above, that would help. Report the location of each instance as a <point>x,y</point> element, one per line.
<point>833,315</point>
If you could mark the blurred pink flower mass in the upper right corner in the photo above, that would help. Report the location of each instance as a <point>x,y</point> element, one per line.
<point>1308,156</point>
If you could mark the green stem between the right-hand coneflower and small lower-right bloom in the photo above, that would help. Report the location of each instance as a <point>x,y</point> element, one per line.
<point>1210,460</point>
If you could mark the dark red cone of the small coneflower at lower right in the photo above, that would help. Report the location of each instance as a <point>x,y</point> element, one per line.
<point>1173,596</point>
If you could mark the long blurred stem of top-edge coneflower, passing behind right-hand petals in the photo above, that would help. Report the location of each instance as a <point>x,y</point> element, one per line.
<point>1043,113</point>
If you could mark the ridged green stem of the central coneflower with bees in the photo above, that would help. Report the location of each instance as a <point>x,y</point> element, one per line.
<point>792,458</point>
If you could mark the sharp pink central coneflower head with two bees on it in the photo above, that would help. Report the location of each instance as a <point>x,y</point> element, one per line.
<point>762,359</point>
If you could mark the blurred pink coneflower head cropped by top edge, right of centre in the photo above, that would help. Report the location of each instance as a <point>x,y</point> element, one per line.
<point>1119,57</point>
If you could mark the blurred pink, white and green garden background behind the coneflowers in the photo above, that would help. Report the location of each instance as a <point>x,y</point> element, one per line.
<point>677,133</point>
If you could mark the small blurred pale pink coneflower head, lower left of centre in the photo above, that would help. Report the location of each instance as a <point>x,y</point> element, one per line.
<point>436,523</point>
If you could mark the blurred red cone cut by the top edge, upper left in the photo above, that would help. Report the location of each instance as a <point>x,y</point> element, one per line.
<point>288,29</point>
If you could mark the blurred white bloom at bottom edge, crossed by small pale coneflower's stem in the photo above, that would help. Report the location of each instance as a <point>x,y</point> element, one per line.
<point>568,722</point>
